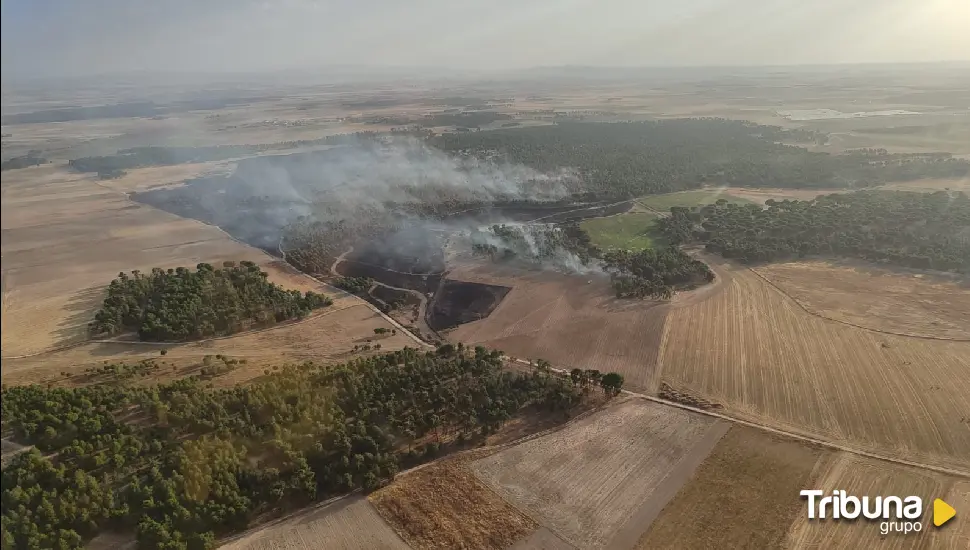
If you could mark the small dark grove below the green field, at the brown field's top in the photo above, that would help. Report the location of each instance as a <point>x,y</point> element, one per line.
<point>654,272</point>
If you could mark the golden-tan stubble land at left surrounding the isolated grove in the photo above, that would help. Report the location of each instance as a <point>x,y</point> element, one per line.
<point>65,237</point>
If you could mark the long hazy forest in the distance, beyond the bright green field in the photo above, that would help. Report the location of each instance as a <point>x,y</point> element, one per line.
<point>636,158</point>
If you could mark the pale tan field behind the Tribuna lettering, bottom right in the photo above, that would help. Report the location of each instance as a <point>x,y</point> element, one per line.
<point>862,477</point>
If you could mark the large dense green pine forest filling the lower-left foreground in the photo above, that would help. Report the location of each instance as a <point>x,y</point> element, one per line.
<point>181,464</point>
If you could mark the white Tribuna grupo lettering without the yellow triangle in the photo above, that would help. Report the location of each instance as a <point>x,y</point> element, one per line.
<point>895,514</point>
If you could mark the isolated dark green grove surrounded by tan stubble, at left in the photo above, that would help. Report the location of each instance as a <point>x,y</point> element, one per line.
<point>180,304</point>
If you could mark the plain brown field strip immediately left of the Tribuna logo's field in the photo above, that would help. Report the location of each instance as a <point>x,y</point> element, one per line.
<point>744,495</point>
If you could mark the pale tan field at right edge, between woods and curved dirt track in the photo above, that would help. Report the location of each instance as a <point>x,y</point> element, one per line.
<point>877,298</point>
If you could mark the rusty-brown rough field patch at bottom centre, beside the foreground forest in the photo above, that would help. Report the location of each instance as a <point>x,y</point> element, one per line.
<point>445,506</point>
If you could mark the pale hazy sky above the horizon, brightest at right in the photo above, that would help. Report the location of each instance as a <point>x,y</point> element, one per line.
<point>88,36</point>
